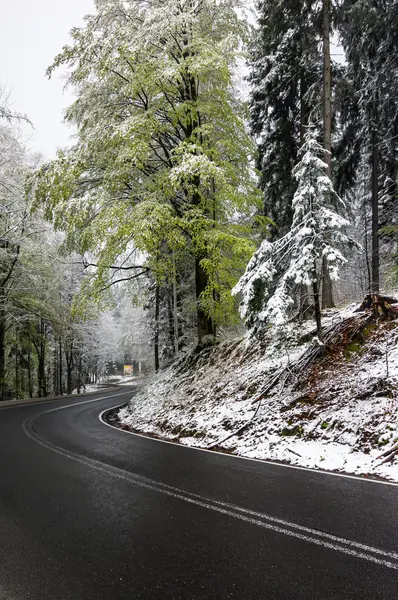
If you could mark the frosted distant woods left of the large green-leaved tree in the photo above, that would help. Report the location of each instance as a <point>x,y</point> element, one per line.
<point>45,348</point>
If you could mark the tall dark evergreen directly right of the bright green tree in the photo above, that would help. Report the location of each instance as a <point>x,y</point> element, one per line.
<point>286,75</point>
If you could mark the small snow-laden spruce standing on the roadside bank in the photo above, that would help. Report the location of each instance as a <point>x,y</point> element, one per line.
<point>316,233</point>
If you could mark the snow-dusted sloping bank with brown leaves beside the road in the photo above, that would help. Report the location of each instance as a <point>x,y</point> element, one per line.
<point>340,413</point>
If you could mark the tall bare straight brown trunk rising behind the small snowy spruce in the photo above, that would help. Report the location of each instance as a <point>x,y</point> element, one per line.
<point>327,290</point>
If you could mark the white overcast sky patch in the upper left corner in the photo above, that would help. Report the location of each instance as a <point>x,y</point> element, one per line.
<point>32,32</point>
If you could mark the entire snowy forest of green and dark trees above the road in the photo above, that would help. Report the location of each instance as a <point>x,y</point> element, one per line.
<point>179,188</point>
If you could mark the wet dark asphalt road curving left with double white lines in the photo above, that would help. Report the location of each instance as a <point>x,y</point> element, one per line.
<point>91,512</point>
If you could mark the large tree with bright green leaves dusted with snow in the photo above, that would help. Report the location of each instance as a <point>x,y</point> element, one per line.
<point>163,158</point>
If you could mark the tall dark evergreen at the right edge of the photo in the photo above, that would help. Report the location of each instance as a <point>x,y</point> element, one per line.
<point>368,32</point>
